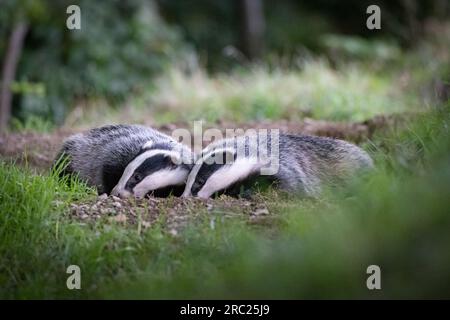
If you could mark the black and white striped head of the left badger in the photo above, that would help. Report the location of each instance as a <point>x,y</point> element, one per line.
<point>155,171</point>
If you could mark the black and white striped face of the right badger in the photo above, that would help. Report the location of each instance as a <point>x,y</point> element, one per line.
<point>209,176</point>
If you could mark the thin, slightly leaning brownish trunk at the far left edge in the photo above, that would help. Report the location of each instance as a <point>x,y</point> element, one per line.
<point>12,56</point>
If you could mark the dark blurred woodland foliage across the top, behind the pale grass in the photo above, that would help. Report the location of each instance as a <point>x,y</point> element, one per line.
<point>123,44</point>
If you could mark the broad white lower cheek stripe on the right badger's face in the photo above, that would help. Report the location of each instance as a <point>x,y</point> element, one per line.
<point>227,175</point>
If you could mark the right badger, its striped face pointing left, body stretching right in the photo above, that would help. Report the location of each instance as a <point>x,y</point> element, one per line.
<point>295,163</point>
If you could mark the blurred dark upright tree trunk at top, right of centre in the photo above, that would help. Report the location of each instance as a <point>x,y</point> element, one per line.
<point>252,28</point>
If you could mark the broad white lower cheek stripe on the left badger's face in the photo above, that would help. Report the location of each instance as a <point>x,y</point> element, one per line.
<point>160,179</point>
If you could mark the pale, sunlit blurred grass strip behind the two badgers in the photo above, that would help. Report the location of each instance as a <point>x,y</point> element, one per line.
<point>313,89</point>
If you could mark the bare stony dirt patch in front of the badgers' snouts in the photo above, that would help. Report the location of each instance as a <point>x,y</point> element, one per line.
<point>172,213</point>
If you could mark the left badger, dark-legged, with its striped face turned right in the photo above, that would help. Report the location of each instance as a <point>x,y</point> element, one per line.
<point>127,160</point>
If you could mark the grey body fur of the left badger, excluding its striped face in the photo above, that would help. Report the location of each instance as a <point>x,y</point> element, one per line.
<point>99,156</point>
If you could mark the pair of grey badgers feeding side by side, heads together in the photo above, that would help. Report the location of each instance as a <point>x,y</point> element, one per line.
<point>133,160</point>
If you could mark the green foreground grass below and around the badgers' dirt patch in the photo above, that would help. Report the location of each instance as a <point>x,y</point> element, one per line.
<point>397,218</point>
